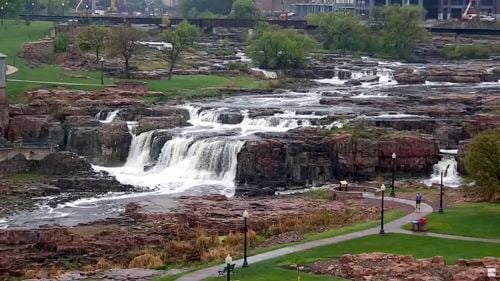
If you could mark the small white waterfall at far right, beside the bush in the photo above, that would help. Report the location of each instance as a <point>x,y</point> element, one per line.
<point>451,178</point>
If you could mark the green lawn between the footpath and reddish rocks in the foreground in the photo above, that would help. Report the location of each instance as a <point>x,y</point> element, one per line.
<point>418,246</point>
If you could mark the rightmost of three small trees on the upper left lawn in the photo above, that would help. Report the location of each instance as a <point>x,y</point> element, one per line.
<point>181,39</point>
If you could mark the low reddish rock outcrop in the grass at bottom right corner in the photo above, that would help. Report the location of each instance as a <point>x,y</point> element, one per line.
<point>380,266</point>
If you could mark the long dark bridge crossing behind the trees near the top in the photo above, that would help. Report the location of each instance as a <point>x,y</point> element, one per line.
<point>235,23</point>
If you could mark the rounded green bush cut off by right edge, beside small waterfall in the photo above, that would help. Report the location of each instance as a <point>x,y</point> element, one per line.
<point>482,162</point>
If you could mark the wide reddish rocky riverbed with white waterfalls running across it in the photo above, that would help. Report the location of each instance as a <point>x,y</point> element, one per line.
<point>138,174</point>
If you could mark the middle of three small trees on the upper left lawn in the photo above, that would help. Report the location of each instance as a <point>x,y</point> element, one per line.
<point>123,41</point>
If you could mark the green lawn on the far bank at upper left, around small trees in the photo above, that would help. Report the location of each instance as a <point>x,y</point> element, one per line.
<point>17,33</point>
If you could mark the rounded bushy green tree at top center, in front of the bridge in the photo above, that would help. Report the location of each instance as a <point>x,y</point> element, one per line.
<point>274,48</point>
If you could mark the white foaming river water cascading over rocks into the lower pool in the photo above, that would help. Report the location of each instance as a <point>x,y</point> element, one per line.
<point>202,158</point>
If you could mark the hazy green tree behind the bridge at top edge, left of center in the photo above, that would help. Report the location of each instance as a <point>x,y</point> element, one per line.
<point>191,8</point>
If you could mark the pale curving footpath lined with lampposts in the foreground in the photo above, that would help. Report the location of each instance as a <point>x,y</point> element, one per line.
<point>394,226</point>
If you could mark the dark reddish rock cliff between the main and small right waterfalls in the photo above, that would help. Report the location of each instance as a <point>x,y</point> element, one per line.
<point>304,157</point>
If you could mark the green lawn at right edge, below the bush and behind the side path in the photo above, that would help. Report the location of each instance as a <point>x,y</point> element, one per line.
<point>468,219</point>
